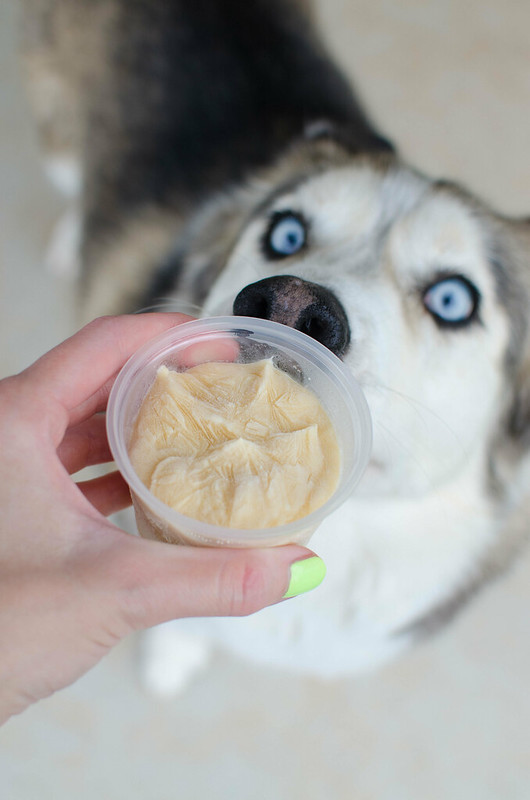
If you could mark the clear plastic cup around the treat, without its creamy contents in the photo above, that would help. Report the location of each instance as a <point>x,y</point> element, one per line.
<point>244,340</point>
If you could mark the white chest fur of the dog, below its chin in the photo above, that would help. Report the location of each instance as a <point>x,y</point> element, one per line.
<point>373,586</point>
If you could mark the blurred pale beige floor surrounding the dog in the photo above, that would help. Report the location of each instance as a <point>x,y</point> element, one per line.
<point>449,83</point>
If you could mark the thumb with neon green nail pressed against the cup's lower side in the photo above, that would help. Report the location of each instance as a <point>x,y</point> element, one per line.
<point>159,582</point>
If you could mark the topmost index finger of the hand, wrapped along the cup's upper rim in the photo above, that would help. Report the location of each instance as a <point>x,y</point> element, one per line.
<point>74,371</point>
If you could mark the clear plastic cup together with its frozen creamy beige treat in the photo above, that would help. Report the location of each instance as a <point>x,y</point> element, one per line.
<point>237,432</point>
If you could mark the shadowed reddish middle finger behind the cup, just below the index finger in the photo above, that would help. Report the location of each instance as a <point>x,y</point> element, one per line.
<point>85,445</point>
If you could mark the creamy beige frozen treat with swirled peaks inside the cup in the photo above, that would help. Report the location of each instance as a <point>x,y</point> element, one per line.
<point>236,445</point>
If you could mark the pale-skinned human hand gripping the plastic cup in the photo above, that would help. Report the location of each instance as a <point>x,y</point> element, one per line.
<point>72,584</point>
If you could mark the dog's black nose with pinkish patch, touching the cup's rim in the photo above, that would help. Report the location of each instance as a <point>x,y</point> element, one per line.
<point>305,306</point>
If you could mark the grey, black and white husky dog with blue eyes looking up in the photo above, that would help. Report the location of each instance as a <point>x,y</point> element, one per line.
<point>223,162</point>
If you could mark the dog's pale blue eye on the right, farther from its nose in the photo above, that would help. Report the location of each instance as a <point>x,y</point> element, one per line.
<point>452,301</point>
